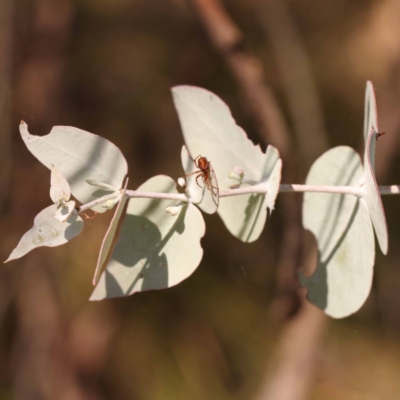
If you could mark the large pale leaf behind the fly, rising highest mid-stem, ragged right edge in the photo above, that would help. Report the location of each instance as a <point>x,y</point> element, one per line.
<point>210,131</point>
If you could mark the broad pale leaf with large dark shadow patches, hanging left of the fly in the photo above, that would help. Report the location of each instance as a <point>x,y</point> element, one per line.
<point>155,250</point>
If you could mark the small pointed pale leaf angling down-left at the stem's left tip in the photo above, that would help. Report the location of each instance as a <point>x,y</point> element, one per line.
<point>48,231</point>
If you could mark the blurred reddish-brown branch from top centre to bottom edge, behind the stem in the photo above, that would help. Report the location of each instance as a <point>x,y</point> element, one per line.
<point>247,70</point>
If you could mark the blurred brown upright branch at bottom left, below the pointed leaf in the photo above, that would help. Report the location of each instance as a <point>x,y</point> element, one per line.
<point>43,372</point>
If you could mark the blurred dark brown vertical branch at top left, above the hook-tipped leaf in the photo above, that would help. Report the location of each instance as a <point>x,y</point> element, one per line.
<point>39,81</point>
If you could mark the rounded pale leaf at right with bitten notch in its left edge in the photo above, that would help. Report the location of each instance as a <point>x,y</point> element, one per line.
<point>341,225</point>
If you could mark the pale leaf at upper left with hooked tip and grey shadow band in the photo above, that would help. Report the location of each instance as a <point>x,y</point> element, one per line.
<point>79,155</point>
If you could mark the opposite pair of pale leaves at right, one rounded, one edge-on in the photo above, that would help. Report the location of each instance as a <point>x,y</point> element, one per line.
<point>342,224</point>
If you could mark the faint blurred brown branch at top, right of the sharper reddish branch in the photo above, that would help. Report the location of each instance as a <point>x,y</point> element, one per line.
<point>297,78</point>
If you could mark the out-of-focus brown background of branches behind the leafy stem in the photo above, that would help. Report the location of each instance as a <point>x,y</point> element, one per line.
<point>294,74</point>
